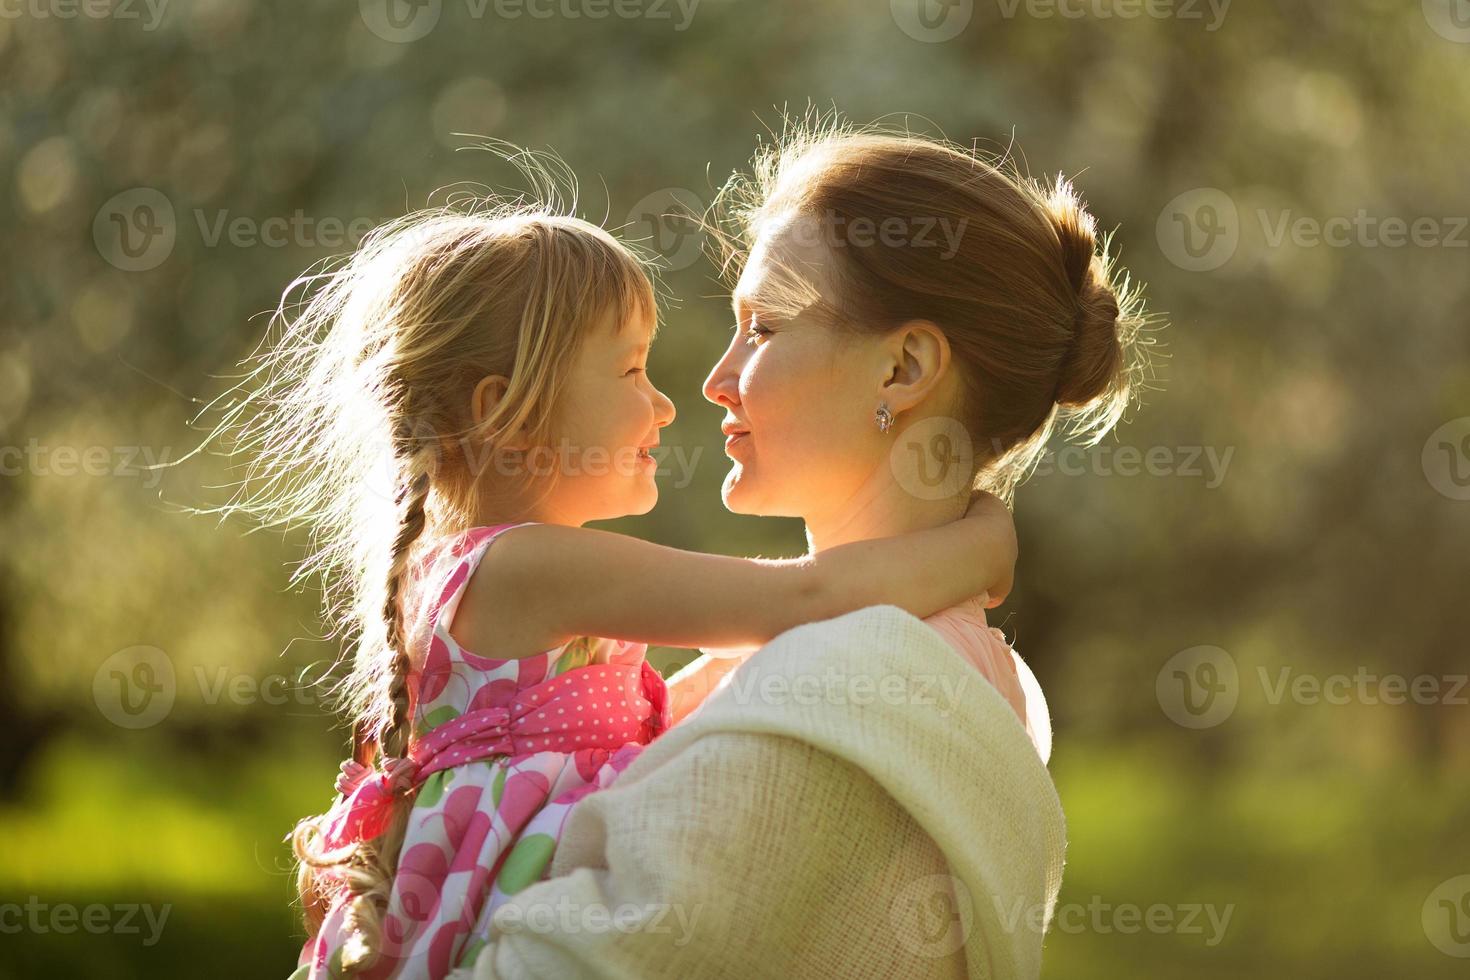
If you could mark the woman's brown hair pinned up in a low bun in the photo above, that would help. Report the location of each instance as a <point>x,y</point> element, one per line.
<point>1040,323</point>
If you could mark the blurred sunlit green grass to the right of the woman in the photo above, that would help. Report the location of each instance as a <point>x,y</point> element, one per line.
<point>1321,876</point>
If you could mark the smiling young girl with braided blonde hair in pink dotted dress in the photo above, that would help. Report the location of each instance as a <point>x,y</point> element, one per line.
<point>501,362</point>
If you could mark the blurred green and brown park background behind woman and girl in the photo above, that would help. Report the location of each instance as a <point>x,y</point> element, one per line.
<point>1290,181</point>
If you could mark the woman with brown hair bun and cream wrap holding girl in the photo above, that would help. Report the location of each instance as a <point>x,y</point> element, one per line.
<point>911,324</point>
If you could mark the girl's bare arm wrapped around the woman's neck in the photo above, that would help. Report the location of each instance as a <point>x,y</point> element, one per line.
<point>558,583</point>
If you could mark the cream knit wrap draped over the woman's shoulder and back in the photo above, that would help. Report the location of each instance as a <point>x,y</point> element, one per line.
<point>856,801</point>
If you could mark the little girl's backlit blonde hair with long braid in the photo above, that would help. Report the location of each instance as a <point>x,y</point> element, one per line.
<point>358,424</point>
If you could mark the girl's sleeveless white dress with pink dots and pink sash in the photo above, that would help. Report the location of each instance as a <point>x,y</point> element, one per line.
<point>501,752</point>
